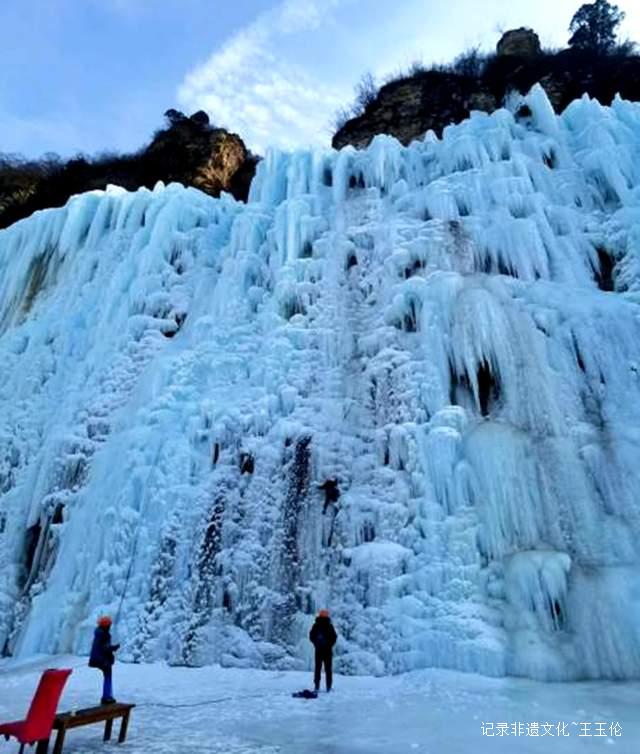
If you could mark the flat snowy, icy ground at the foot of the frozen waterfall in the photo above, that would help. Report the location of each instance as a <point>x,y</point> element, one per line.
<point>252,712</point>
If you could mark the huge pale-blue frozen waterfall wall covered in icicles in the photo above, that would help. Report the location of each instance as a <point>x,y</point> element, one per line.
<point>402,383</point>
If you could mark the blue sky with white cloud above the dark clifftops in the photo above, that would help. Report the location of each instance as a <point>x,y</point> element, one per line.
<point>97,75</point>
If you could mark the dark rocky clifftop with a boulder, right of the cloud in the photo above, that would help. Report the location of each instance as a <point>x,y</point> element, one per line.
<point>409,107</point>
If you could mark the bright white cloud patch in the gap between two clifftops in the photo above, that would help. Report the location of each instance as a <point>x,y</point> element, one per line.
<point>253,85</point>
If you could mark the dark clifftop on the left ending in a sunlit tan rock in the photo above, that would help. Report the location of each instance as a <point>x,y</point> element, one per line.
<point>188,151</point>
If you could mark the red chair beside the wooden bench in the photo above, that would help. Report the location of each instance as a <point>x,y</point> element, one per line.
<point>39,721</point>
